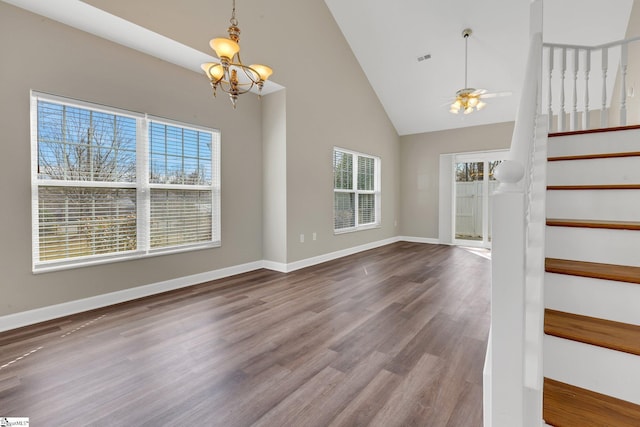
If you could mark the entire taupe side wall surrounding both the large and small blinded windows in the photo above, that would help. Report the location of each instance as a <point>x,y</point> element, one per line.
<point>329,102</point>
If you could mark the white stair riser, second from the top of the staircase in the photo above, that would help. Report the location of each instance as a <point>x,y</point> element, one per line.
<point>620,170</point>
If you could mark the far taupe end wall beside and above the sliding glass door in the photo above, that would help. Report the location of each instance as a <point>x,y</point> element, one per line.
<point>419,176</point>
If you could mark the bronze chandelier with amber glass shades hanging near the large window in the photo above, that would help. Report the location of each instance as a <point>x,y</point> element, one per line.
<point>230,75</point>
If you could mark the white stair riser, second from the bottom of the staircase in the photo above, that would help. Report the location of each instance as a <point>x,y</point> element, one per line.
<point>604,299</point>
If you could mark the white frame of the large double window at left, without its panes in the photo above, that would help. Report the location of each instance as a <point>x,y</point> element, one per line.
<point>141,185</point>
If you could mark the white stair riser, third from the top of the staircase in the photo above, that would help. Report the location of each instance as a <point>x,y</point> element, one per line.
<point>612,205</point>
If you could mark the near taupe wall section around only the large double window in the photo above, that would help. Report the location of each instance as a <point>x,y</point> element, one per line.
<point>46,56</point>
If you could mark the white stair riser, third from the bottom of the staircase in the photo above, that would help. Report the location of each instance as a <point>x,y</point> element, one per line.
<point>594,245</point>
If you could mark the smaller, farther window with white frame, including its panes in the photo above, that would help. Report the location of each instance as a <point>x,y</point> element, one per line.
<point>356,190</point>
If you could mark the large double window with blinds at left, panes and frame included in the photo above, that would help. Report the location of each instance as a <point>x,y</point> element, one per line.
<point>109,184</point>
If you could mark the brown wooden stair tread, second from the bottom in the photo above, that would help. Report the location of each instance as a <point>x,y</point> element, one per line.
<point>590,330</point>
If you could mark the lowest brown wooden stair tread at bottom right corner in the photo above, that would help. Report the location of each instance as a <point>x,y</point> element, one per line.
<point>568,405</point>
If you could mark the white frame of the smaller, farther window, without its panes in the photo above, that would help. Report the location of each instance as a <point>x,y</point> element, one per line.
<point>376,191</point>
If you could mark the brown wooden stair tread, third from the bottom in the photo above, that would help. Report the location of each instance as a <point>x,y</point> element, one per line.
<point>620,273</point>
